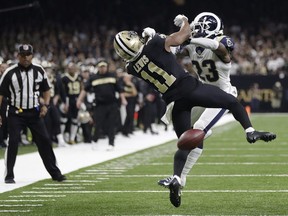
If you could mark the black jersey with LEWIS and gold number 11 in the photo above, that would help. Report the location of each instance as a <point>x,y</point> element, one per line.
<point>158,67</point>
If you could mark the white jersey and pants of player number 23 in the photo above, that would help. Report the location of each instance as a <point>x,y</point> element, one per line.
<point>211,70</point>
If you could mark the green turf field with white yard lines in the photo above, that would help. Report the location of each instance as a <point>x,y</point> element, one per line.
<point>232,177</point>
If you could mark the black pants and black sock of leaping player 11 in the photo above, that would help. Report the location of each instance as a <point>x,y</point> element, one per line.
<point>203,95</point>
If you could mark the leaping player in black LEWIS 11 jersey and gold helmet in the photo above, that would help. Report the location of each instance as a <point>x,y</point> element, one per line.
<point>150,59</point>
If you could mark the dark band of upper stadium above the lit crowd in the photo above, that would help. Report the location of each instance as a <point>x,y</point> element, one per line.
<point>133,13</point>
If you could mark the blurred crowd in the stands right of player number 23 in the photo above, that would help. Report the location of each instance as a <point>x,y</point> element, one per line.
<point>263,51</point>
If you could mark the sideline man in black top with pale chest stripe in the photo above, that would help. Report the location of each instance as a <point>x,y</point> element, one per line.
<point>105,85</point>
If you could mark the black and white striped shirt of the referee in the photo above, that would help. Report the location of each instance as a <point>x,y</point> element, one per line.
<point>22,86</point>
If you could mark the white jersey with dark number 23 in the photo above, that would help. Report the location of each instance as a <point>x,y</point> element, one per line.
<point>210,68</point>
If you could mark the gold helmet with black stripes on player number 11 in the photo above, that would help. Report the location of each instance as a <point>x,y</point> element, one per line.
<point>128,45</point>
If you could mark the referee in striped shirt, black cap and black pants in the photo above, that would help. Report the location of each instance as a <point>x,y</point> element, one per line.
<point>22,85</point>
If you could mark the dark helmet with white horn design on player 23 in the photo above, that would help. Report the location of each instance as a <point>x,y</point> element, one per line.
<point>207,24</point>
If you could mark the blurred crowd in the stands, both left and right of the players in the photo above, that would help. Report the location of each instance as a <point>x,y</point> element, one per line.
<point>259,50</point>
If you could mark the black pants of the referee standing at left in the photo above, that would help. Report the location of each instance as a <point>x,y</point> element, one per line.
<point>30,118</point>
